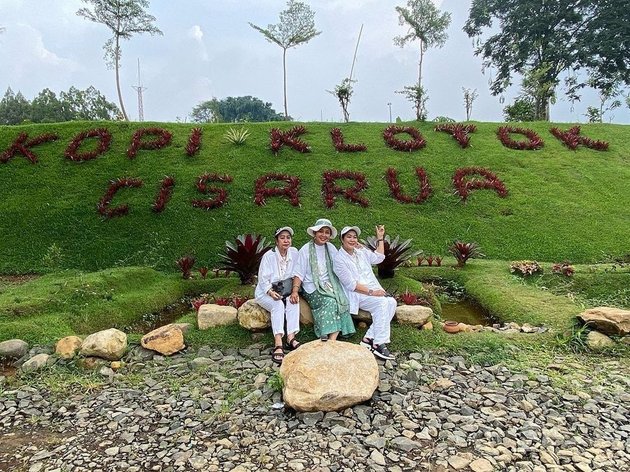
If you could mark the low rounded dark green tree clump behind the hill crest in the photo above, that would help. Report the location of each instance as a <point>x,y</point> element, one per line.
<point>233,110</point>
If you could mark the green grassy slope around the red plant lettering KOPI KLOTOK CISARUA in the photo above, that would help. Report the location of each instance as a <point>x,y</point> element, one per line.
<point>562,204</point>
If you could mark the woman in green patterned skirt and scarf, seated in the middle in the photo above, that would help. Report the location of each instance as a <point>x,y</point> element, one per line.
<point>320,287</point>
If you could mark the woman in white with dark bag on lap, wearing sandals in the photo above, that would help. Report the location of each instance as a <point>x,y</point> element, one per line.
<point>273,289</point>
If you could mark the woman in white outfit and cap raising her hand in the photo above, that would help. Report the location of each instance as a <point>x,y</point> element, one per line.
<point>353,266</point>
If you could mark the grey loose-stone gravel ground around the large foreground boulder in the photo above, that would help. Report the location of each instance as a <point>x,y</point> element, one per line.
<point>217,411</point>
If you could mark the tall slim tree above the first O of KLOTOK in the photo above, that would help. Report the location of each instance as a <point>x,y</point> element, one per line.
<point>428,25</point>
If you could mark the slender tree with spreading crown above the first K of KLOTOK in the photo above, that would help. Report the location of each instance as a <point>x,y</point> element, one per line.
<point>296,26</point>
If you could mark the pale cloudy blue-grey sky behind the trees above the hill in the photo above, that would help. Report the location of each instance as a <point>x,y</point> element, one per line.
<point>209,50</point>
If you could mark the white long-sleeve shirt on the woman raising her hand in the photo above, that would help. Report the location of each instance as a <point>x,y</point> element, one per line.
<point>357,269</point>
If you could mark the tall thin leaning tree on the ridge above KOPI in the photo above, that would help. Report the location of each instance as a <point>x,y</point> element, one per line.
<point>124,18</point>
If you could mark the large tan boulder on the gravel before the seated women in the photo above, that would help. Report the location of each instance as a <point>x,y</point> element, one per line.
<point>328,376</point>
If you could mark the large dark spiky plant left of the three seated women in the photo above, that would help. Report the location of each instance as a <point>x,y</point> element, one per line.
<point>243,256</point>
